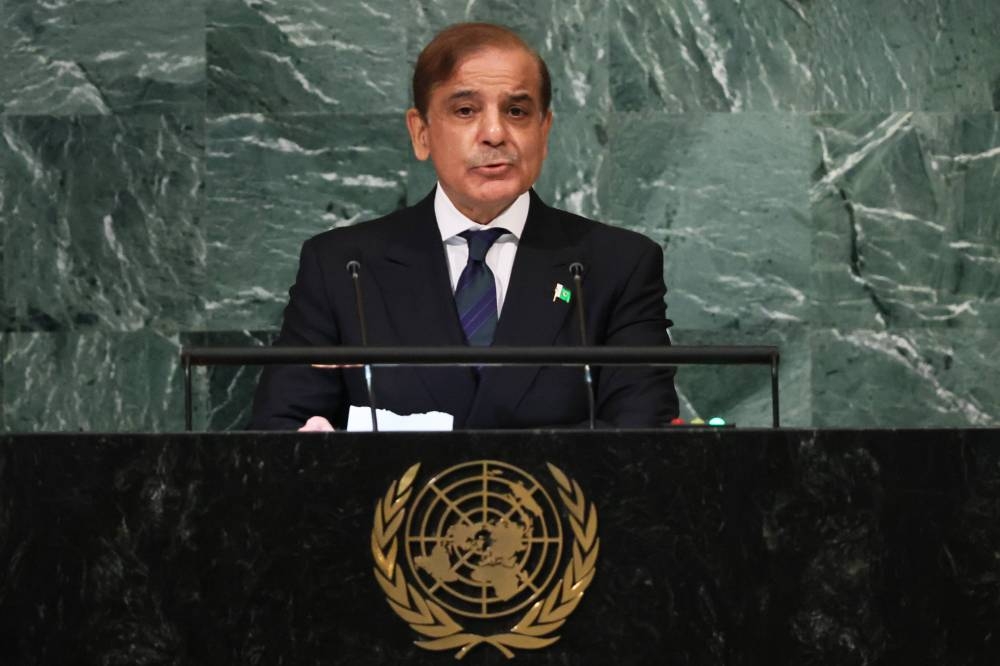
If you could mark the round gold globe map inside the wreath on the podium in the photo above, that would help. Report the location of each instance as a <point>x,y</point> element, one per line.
<point>483,539</point>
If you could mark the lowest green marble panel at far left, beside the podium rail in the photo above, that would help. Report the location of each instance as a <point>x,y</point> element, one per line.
<point>92,381</point>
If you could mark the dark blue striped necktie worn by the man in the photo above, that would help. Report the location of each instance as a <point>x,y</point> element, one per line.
<point>476,293</point>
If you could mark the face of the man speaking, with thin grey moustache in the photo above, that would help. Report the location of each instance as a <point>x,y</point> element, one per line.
<point>485,131</point>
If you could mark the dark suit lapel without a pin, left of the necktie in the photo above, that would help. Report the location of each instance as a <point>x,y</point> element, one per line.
<point>412,274</point>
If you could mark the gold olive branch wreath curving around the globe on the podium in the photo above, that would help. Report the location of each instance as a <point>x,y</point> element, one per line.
<point>535,628</point>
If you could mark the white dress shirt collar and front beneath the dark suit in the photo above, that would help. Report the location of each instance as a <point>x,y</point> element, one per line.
<point>500,257</point>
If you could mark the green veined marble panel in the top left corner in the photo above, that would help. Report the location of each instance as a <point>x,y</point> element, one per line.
<point>100,57</point>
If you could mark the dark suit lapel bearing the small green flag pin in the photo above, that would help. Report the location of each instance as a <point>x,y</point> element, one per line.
<point>530,316</point>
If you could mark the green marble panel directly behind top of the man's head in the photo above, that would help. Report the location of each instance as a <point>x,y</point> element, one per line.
<point>571,35</point>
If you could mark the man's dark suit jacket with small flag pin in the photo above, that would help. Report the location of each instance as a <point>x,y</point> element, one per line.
<point>408,301</point>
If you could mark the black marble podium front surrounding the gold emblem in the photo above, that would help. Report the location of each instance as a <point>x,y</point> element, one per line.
<point>716,547</point>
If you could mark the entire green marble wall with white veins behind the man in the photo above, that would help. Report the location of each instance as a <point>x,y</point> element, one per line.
<point>824,176</point>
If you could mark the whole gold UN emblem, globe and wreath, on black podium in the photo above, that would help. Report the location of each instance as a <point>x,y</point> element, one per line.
<point>483,544</point>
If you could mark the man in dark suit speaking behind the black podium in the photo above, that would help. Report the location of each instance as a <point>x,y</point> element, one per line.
<point>476,262</point>
